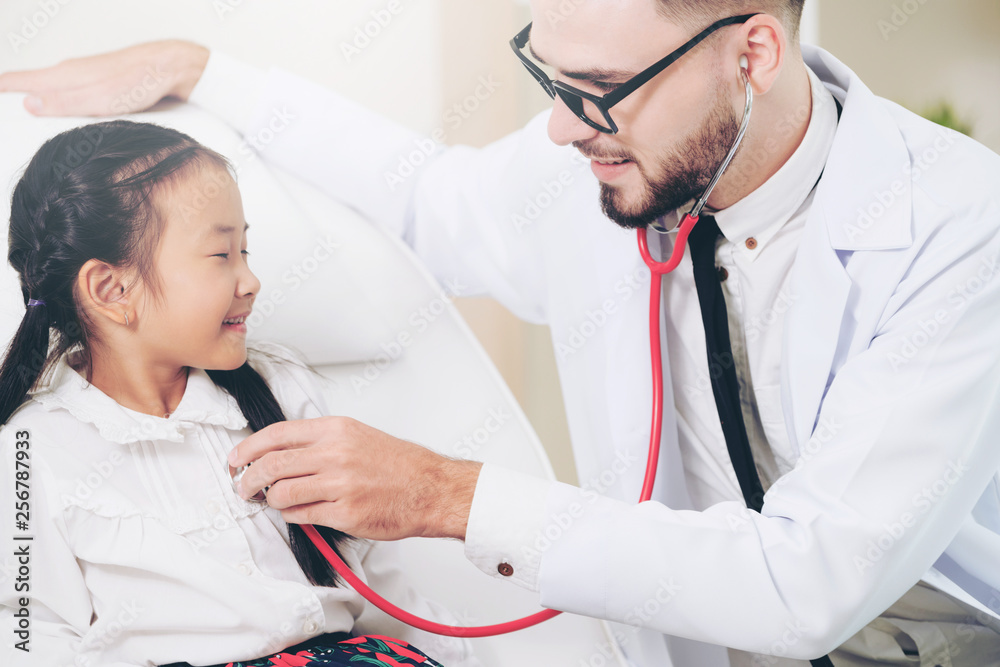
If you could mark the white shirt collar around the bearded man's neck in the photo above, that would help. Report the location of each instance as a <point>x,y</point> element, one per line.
<point>764,211</point>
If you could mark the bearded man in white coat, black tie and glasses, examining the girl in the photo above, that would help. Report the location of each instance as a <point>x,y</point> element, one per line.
<point>857,259</point>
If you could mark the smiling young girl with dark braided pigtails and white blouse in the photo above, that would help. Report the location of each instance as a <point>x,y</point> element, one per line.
<point>126,385</point>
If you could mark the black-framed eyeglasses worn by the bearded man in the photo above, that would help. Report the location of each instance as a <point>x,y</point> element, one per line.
<point>594,110</point>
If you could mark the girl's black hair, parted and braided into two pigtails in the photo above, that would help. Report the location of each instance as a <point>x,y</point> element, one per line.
<point>89,193</point>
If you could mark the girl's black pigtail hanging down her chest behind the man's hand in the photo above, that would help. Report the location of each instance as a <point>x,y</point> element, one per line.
<point>261,409</point>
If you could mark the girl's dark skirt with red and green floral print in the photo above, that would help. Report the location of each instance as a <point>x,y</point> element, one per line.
<point>355,651</point>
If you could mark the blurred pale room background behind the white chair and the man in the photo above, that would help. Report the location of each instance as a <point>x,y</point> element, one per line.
<point>422,66</point>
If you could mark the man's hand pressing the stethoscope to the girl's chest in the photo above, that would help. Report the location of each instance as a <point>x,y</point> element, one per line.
<point>338,472</point>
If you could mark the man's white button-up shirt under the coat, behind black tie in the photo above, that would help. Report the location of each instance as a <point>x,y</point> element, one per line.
<point>760,237</point>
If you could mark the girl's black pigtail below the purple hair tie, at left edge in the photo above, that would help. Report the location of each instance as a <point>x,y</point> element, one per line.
<point>25,359</point>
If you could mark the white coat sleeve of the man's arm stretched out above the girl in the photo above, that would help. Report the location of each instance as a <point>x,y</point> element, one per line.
<point>461,209</point>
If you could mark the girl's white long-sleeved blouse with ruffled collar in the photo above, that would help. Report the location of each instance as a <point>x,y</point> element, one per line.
<point>142,552</point>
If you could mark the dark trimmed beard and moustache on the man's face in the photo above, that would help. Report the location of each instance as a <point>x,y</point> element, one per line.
<point>683,172</point>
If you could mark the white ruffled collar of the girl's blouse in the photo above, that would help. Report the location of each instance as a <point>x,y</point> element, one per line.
<point>203,402</point>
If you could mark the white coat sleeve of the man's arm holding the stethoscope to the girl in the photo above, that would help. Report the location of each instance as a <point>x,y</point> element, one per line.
<point>907,445</point>
